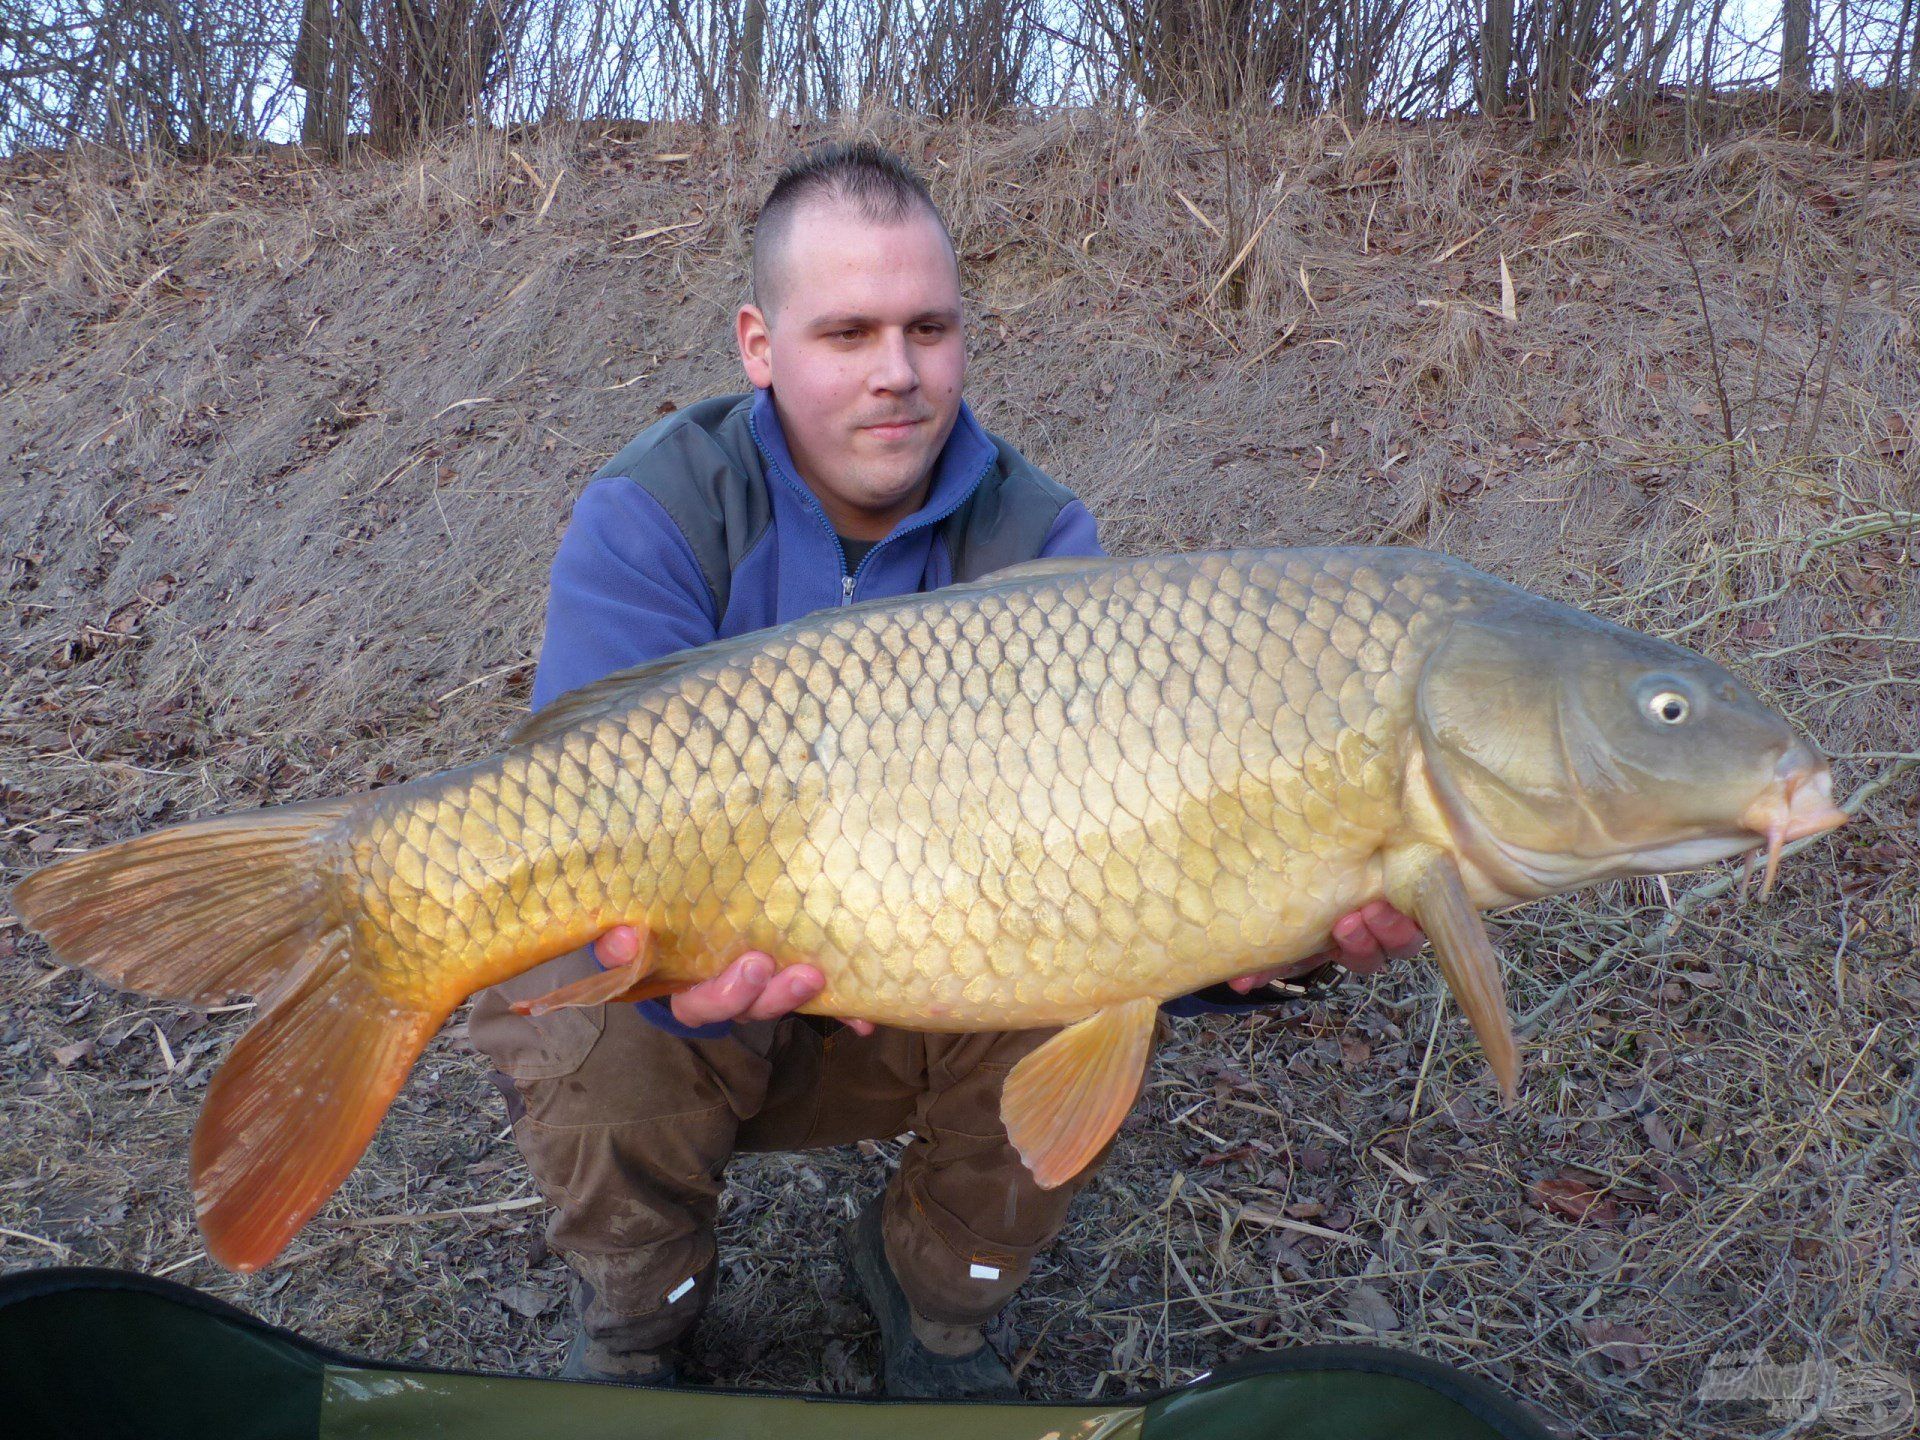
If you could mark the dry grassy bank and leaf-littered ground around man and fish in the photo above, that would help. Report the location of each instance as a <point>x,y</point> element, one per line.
<point>291,450</point>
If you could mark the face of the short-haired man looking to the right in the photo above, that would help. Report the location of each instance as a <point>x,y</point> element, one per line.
<point>865,354</point>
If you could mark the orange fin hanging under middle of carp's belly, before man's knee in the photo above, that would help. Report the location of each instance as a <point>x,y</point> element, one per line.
<point>1067,1099</point>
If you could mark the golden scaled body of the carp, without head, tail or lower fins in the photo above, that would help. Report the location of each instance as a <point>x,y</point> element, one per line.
<point>996,805</point>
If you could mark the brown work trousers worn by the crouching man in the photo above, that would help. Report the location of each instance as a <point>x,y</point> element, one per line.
<point>629,1130</point>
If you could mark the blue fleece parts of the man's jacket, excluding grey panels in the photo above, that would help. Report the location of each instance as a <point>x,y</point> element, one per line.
<point>629,588</point>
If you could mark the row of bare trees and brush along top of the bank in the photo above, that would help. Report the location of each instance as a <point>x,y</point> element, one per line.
<point>208,74</point>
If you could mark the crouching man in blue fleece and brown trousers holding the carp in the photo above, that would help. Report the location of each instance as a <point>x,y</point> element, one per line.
<point>853,471</point>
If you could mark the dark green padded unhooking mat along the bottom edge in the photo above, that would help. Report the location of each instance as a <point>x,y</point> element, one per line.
<point>95,1353</point>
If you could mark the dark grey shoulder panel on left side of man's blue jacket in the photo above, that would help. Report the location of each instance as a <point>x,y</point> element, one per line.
<point>704,469</point>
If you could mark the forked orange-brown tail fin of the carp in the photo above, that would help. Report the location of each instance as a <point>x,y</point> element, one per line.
<point>229,907</point>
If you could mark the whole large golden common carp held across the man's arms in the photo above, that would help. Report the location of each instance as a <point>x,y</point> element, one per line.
<point>1051,798</point>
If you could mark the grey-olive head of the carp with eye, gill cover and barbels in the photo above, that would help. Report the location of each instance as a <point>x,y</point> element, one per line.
<point>1566,750</point>
